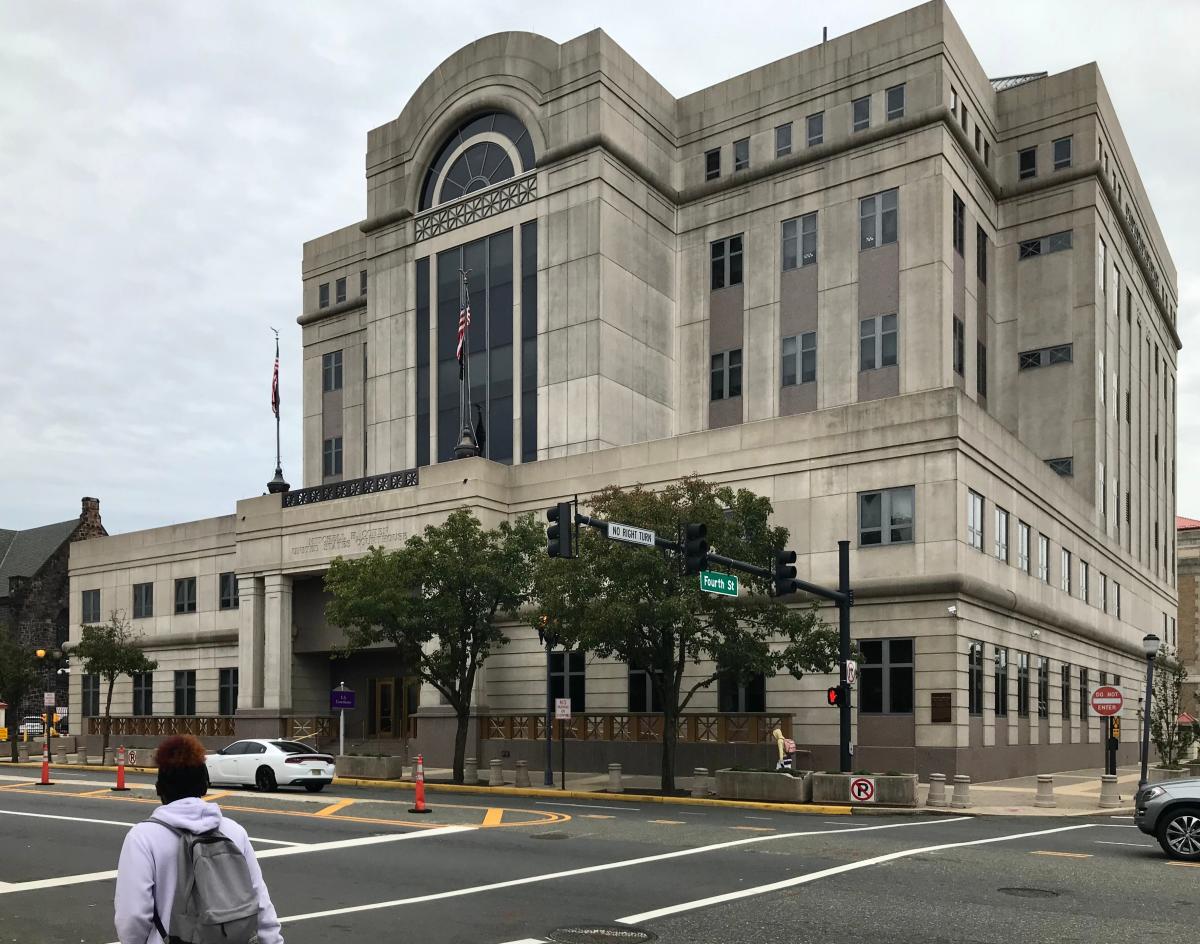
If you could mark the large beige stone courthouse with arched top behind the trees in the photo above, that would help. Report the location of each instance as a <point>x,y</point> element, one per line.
<point>920,309</point>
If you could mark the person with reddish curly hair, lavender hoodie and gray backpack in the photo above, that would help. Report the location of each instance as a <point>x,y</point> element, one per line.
<point>188,875</point>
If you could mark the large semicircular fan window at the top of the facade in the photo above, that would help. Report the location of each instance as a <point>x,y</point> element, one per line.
<point>479,165</point>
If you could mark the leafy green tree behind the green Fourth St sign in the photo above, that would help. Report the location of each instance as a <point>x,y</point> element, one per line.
<point>635,605</point>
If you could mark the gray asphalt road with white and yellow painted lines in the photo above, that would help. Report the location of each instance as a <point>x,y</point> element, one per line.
<point>355,865</point>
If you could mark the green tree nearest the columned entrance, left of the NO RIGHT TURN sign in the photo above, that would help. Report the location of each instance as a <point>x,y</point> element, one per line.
<point>436,600</point>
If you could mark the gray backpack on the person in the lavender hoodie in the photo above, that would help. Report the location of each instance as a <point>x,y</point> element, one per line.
<point>215,900</point>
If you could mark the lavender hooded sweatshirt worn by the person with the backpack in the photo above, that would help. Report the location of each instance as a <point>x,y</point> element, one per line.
<point>149,867</point>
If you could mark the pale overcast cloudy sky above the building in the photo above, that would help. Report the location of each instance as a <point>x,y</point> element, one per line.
<point>163,164</point>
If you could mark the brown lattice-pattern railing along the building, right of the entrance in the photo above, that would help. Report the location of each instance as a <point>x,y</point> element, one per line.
<point>699,729</point>
